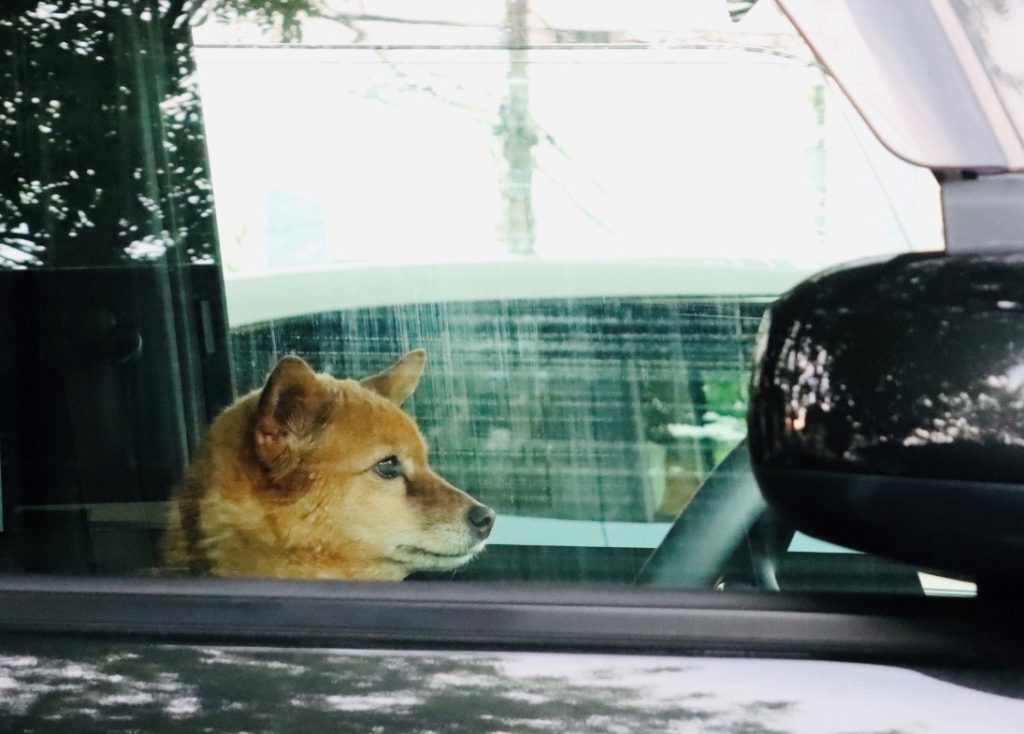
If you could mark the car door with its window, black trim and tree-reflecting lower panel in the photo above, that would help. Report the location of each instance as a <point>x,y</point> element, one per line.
<point>583,229</point>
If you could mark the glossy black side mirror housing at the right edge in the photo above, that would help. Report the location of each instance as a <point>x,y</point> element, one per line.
<point>887,411</point>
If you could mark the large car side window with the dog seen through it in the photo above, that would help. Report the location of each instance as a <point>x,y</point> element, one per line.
<point>579,217</point>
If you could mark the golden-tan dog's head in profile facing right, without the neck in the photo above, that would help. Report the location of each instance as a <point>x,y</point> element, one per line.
<point>353,469</point>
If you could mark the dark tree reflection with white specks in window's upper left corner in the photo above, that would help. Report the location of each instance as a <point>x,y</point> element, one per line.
<point>101,137</point>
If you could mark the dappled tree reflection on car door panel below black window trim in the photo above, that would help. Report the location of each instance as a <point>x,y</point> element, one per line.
<point>77,686</point>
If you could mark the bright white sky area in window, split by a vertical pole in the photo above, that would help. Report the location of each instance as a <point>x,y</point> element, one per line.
<point>643,154</point>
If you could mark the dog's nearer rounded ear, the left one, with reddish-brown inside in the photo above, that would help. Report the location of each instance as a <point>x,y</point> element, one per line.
<point>289,406</point>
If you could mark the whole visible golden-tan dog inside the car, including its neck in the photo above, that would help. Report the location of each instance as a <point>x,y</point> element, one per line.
<point>316,478</point>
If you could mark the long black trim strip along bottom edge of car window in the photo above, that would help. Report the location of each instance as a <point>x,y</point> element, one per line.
<point>440,616</point>
